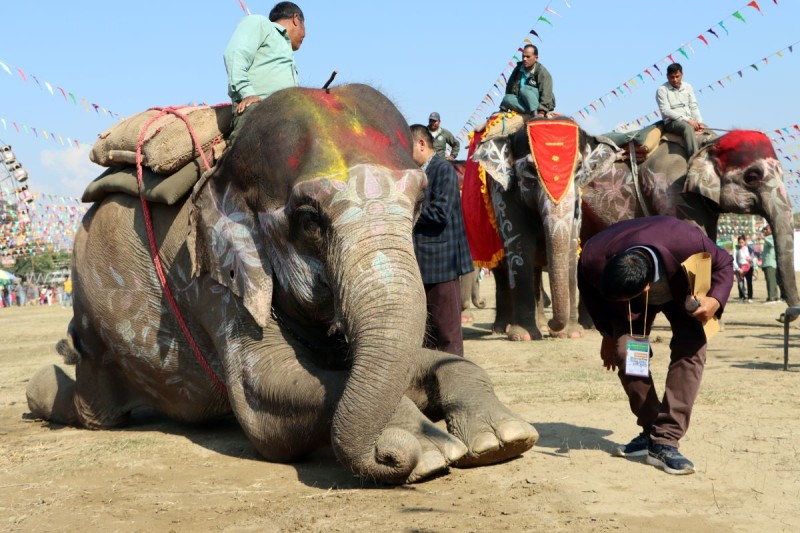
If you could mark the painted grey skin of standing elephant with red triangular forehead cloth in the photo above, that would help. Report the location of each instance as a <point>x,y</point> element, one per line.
<point>538,233</point>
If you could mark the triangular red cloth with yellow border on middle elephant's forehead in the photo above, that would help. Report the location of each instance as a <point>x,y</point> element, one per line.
<point>554,149</point>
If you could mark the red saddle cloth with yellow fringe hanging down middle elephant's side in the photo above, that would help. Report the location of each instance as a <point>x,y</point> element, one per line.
<point>476,204</point>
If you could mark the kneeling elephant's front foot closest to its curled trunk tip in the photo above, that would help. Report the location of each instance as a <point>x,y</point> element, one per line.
<point>436,448</point>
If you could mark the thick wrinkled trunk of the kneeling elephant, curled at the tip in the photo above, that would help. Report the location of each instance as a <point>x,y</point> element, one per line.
<point>382,303</point>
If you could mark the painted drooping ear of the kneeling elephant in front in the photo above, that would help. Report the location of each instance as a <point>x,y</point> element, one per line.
<point>224,242</point>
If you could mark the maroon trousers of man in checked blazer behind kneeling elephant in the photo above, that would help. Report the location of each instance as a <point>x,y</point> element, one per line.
<point>443,327</point>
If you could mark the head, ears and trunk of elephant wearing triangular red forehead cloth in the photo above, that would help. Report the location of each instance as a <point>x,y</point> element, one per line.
<point>508,160</point>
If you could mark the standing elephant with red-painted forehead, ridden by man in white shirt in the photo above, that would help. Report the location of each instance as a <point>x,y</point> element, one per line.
<point>735,173</point>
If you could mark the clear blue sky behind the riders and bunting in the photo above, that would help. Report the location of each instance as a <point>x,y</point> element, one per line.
<point>426,56</point>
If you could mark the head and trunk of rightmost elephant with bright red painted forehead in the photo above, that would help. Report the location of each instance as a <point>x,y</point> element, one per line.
<point>740,173</point>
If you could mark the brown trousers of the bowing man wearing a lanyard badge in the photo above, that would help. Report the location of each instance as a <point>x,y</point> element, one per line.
<point>666,420</point>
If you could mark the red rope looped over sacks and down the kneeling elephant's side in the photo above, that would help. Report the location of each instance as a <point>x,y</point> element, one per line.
<point>152,238</point>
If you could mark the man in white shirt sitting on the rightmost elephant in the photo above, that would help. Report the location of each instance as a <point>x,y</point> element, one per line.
<point>678,106</point>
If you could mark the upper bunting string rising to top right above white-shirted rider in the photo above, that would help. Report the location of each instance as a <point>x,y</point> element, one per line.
<point>682,52</point>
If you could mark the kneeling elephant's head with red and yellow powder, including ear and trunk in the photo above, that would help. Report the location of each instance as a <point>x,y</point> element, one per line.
<point>315,225</point>
